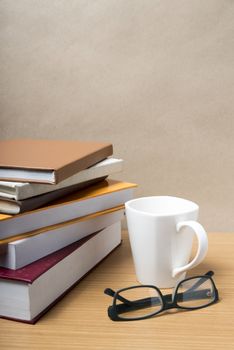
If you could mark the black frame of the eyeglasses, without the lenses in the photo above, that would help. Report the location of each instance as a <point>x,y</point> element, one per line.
<point>168,301</point>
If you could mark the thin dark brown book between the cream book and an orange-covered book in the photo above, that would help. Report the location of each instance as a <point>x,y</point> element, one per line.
<point>12,206</point>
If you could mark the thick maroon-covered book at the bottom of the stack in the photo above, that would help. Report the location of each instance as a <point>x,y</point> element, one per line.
<point>27,293</point>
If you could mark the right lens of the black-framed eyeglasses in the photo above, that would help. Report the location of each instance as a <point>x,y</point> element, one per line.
<point>195,292</point>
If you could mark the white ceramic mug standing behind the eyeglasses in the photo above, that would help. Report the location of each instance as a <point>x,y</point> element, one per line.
<point>161,230</point>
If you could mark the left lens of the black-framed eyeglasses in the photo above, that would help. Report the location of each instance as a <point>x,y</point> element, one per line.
<point>140,302</point>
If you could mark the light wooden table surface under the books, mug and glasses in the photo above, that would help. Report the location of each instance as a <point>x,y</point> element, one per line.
<point>80,320</point>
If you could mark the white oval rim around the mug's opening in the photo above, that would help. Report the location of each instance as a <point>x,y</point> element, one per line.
<point>128,206</point>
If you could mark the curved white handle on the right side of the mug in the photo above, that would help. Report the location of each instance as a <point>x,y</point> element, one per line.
<point>202,245</point>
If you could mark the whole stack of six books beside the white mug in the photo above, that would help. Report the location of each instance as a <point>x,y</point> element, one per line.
<point>59,217</point>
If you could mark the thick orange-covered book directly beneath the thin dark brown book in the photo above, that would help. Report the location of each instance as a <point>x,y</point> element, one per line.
<point>101,196</point>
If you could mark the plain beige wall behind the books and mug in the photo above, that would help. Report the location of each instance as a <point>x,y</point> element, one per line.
<point>154,77</point>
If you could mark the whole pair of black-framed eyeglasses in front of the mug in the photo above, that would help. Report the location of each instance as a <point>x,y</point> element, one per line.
<point>144,301</point>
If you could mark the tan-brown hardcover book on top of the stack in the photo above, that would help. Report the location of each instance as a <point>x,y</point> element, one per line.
<point>48,161</point>
